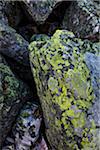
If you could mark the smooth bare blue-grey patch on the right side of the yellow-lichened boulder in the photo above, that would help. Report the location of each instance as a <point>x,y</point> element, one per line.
<point>93,63</point>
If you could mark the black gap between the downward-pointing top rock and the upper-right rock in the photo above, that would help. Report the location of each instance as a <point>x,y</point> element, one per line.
<point>54,20</point>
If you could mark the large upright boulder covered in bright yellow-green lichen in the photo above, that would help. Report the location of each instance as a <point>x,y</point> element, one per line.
<point>66,72</point>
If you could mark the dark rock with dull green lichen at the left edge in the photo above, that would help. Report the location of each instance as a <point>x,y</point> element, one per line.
<point>13,94</point>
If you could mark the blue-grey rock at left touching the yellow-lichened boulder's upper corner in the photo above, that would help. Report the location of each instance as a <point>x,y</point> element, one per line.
<point>13,45</point>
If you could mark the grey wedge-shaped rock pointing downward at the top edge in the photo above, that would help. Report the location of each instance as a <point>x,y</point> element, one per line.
<point>39,10</point>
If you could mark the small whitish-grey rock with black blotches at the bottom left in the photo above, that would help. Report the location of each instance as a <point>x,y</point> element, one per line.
<point>26,130</point>
